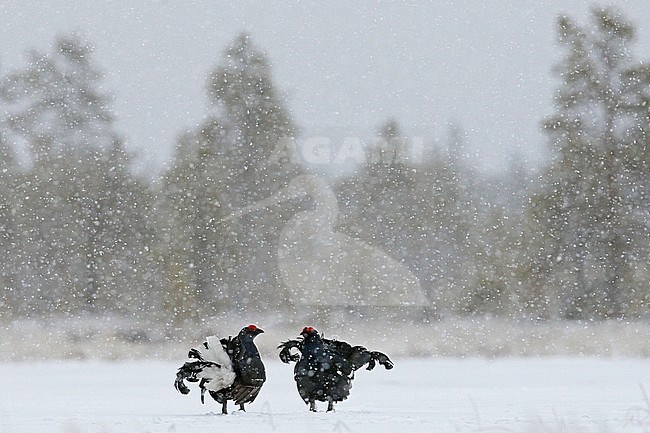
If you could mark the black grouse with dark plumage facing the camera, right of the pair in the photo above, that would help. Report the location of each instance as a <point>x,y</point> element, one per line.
<point>325,368</point>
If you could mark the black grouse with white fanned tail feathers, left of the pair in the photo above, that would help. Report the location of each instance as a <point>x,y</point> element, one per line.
<point>228,369</point>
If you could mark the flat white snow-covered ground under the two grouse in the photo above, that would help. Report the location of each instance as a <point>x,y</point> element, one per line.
<point>553,395</point>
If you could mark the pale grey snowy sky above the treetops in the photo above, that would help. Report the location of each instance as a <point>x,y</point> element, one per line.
<point>345,67</point>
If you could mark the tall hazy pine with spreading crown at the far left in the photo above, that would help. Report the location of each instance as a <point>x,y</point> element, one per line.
<point>76,217</point>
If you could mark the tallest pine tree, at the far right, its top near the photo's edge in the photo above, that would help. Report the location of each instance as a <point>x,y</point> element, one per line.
<point>587,208</point>
